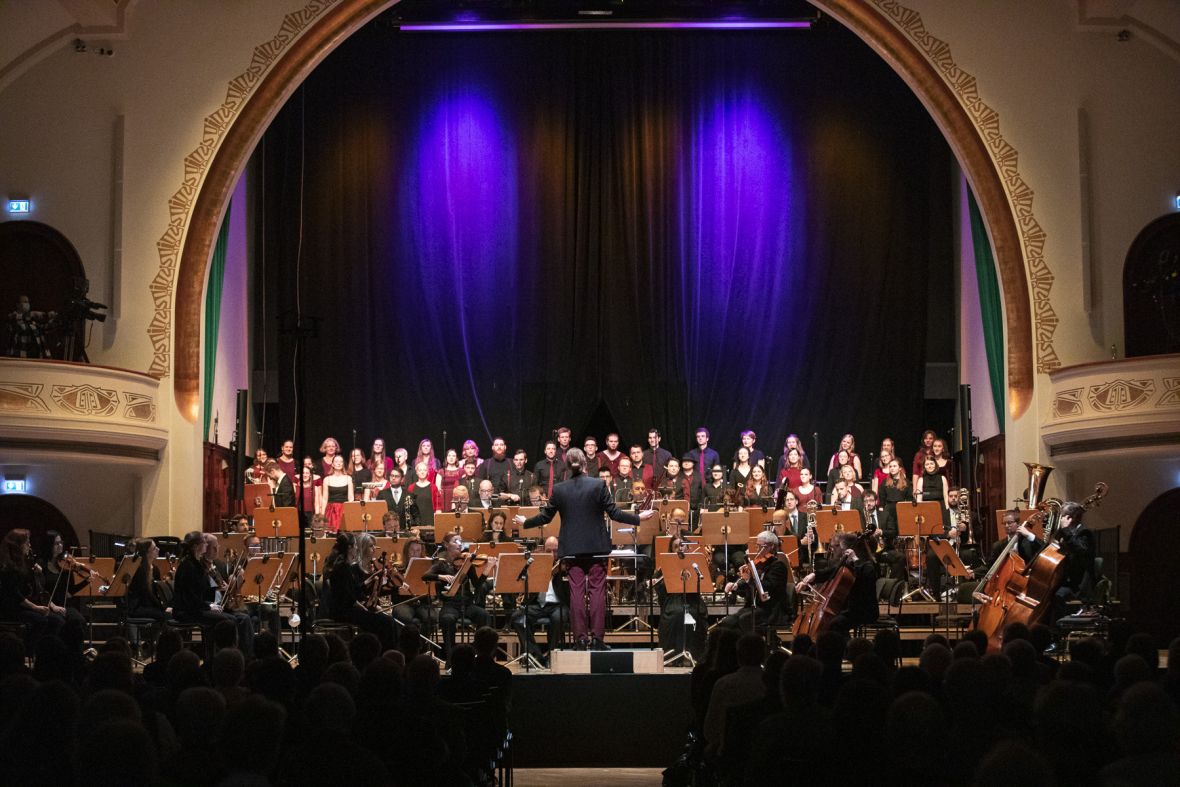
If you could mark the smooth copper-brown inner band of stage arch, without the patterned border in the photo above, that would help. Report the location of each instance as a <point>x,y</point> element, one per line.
<point>343,19</point>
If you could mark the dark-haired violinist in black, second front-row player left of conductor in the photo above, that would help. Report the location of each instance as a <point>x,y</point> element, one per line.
<point>355,582</point>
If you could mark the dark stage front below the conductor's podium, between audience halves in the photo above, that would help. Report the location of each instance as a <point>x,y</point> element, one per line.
<point>599,720</point>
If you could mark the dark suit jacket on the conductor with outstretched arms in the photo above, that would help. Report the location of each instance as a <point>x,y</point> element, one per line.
<point>582,501</point>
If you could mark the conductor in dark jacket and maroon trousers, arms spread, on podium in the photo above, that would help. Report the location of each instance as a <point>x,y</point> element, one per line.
<point>584,545</point>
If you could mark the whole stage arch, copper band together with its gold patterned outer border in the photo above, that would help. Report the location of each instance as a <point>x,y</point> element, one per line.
<point>309,36</point>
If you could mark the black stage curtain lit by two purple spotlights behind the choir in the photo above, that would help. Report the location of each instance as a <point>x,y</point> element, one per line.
<point>506,233</point>
